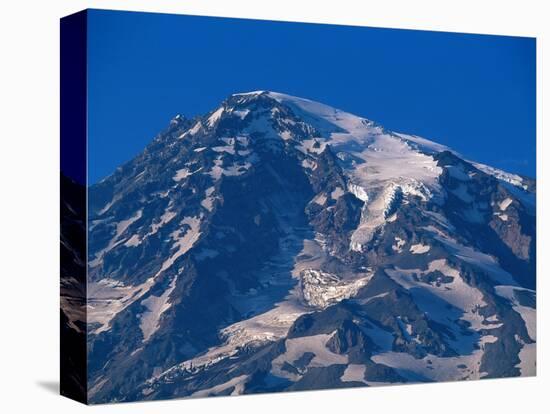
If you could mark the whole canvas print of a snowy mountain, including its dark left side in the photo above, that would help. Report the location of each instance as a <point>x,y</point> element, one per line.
<point>255,207</point>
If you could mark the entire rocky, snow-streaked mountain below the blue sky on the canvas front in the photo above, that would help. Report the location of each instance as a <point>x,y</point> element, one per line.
<point>281,244</point>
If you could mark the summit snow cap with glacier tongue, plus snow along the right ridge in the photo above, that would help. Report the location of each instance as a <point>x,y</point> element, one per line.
<point>390,159</point>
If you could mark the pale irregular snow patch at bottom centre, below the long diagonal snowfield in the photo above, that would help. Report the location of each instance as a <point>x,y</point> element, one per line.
<point>296,347</point>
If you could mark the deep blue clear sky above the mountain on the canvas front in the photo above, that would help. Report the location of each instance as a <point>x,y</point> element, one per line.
<point>474,93</point>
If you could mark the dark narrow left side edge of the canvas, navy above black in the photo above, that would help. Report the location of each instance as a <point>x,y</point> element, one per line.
<point>73,383</point>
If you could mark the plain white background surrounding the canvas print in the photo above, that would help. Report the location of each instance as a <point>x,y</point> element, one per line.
<point>29,159</point>
